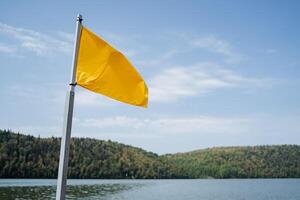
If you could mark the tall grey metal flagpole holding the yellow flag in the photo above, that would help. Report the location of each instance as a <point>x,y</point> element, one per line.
<point>67,126</point>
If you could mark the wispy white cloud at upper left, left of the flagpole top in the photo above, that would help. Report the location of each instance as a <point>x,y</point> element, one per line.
<point>36,42</point>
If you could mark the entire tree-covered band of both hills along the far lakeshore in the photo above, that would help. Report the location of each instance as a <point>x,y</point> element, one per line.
<point>26,156</point>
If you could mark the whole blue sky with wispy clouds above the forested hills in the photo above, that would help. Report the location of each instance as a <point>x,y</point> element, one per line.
<point>220,73</point>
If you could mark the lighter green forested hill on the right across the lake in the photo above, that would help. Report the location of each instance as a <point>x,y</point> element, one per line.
<point>277,161</point>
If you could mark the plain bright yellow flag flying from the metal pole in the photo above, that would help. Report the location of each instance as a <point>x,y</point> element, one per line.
<point>103,69</point>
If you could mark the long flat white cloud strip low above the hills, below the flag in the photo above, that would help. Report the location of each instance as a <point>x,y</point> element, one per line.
<point>168,125</point>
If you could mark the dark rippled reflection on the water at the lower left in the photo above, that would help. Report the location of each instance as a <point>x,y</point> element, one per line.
<point>73,192</point>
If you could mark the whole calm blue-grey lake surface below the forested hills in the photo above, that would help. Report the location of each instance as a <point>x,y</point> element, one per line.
<point>211,189</point>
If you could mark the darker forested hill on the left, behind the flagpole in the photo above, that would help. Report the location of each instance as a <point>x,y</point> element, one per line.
<point>27,156</point>
